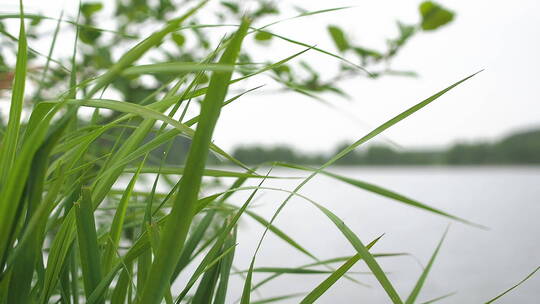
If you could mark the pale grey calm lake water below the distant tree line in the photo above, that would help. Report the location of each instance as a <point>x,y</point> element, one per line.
<point>477,264</point>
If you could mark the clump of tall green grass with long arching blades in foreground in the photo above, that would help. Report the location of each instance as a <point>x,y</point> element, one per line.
<point>69,235</point>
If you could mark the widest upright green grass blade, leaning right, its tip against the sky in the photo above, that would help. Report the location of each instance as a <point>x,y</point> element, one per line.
<point>177,226</point>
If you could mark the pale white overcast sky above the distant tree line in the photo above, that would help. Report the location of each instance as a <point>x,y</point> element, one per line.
<point>501,37</point>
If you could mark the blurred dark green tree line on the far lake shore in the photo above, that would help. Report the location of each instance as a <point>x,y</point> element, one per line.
<point>520,148</point>
